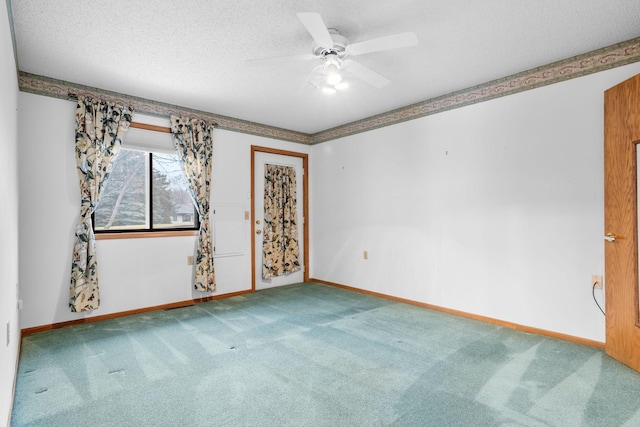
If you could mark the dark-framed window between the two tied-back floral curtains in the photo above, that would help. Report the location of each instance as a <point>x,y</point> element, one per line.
<point>145,192</point>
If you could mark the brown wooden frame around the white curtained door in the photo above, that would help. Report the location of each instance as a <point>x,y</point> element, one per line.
<point>305,207</point>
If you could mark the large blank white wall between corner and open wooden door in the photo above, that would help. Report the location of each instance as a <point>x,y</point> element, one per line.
<point>494,209</point>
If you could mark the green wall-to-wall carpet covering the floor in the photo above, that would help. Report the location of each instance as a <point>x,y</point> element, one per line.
<point>314,355</point>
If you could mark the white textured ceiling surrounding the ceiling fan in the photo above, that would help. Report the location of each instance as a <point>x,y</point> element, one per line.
<point>192,53</point>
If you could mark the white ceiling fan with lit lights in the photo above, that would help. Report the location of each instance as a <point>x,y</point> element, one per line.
<point>334,50</point>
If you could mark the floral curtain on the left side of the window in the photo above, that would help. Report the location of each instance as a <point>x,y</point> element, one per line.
<point>100,127</point>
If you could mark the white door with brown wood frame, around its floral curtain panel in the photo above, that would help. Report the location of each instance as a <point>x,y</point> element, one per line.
<point>261,157</point>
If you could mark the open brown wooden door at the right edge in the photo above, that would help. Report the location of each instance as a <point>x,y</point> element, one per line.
<point>622,134</point>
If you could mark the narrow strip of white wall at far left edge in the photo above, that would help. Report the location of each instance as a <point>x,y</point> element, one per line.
<point>8,216</point>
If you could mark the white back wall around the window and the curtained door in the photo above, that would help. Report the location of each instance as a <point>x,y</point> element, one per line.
<point>134,273</point>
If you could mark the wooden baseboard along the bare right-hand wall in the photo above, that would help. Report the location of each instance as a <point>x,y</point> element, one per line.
<point>493,321</point>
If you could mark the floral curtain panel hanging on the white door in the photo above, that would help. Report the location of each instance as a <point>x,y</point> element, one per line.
<point>280,251</point>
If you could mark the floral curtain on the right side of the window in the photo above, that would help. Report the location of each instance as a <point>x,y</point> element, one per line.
<point>194,142</point>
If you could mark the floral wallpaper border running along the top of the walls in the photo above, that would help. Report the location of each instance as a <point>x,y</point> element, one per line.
<point>595,61</point>
